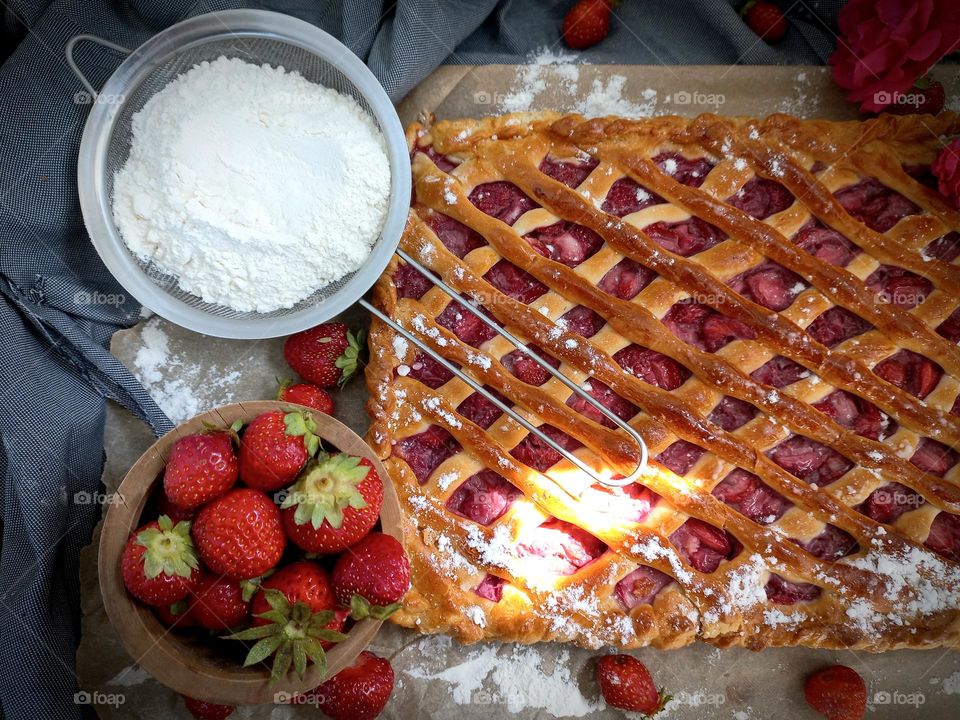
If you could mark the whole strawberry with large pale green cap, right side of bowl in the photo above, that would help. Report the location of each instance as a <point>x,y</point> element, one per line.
<point>335,502</point>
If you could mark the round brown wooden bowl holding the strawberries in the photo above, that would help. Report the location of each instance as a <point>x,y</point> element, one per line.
<point>190,664</point>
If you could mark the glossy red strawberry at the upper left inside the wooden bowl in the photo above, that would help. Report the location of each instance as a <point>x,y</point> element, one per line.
<point>200,468</point>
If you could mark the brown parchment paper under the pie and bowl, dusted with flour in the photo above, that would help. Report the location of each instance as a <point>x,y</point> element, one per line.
<point>548,680</point>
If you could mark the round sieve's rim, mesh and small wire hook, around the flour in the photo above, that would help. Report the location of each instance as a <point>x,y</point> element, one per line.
<point>255,36</point>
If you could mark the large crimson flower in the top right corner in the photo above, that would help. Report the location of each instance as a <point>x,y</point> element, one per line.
<point>886,45</point>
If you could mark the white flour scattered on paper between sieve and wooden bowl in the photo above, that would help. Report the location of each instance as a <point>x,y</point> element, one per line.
<point>194,390</point>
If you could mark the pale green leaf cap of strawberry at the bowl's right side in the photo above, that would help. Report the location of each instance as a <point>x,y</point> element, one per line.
<point>327,488</point>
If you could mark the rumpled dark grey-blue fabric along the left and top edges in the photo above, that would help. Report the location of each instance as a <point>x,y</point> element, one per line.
<point>59,306</point>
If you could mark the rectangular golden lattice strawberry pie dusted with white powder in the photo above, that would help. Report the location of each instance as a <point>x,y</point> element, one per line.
<point>772,304</point>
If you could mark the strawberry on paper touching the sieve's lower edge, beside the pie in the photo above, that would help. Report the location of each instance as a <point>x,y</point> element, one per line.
<point>326,355</point>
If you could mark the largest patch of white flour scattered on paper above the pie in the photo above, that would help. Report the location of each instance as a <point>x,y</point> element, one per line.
<point>560,70</point>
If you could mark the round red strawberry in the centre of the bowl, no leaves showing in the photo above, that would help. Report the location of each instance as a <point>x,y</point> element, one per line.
<point>240,535</point>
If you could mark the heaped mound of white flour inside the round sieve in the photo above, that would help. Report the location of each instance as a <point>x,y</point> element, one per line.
<point>251,185</point>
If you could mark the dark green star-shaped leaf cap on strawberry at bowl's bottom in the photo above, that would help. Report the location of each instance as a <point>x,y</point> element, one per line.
<point>292,635</point>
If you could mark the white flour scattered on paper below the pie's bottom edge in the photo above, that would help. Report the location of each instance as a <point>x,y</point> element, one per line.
<point>518,679</point>
